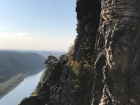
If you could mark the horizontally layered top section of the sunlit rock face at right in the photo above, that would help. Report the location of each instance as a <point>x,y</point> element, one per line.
<point>112,9</point>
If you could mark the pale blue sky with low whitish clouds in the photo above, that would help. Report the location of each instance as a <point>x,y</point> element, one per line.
<point>37,24</point>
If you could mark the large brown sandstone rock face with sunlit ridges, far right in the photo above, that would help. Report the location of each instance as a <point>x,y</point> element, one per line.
<point>117,47</point>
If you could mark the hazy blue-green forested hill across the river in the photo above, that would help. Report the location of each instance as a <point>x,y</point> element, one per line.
<point>12,63</point>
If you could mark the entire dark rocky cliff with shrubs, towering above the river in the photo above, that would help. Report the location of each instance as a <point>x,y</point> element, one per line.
<point>103,68</point>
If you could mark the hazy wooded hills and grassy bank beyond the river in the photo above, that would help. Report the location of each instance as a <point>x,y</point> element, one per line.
<point>15,65</point>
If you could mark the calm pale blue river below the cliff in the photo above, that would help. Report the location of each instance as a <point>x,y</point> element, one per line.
<point>24,89</point>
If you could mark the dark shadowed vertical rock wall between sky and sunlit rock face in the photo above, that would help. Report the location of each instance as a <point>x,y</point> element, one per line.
<point>88,18</point>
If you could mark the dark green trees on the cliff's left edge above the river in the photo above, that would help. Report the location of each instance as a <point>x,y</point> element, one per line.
<point>50,73</point>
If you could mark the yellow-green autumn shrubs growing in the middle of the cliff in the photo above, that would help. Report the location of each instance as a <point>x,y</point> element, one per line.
<point>82,72</point>
